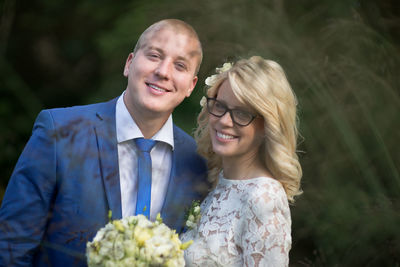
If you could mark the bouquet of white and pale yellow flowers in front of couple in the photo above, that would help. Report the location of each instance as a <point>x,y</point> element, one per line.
<point>136,241</point>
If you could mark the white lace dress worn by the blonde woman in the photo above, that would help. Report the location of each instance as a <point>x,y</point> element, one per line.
<point>243,223</point>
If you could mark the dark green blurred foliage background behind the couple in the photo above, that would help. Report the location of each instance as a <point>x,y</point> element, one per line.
<point>341,56</point>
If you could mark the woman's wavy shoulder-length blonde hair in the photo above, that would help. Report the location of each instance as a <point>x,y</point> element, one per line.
<point>262,85</point>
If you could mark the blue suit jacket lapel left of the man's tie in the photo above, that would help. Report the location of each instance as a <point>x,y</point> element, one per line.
<point>105,130</point>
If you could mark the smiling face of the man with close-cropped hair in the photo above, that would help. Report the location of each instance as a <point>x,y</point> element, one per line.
<point>161,73</point>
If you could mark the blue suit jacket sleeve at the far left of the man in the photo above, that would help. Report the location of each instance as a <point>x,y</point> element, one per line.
<point>27,201</point>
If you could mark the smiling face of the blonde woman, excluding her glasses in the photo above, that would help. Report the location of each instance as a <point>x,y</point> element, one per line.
<point>229,140</point>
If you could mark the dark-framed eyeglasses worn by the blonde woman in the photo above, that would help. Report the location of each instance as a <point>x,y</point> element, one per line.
<point>218,109</point>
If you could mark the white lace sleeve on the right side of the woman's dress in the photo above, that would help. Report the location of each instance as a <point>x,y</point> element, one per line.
<point>267,227</point>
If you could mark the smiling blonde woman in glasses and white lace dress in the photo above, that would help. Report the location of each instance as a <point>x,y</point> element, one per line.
<point>247,132</point>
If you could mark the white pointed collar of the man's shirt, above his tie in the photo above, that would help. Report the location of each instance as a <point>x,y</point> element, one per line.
<point>127,128</point>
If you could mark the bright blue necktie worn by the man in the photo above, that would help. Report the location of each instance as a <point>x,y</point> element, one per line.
<point>144,176</point>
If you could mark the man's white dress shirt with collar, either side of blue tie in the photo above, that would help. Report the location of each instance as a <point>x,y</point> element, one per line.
<point>161,157</point>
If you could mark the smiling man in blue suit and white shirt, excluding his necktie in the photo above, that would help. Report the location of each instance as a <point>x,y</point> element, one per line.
<point>82,162</point>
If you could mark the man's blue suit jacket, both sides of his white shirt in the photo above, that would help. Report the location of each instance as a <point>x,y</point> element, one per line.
<point>67,179</point>
